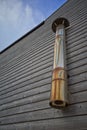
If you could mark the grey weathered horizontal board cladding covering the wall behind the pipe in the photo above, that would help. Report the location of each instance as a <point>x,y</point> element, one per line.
<point>26,74</point>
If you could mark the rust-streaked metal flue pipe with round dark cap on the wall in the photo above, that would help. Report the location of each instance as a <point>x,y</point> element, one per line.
<point>59,96</point>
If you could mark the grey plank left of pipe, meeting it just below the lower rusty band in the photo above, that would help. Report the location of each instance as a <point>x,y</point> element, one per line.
<point>13,96</point>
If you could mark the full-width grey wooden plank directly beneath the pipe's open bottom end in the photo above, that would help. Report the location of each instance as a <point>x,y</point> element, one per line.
<point>78,109</point>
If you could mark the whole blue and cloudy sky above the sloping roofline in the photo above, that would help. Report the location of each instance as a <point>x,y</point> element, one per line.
<point>17,17</point>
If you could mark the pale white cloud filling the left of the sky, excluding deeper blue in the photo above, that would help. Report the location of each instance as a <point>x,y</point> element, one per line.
<point>16,18</point>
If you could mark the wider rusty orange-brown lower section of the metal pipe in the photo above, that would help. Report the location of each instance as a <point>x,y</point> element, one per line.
<point>58,92</point>
